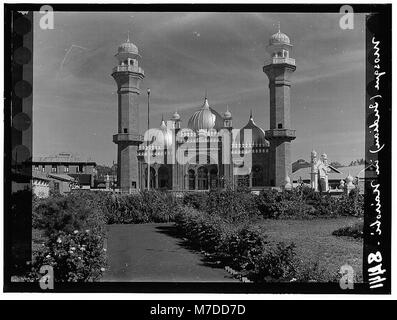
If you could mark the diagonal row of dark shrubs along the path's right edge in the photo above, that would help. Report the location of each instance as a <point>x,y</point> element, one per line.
<point>242,246</point>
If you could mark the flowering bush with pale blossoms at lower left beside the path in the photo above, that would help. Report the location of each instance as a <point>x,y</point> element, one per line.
<point>76,256</point>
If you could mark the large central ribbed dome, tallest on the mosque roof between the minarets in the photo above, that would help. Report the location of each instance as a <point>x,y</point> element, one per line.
<point>205,119</point>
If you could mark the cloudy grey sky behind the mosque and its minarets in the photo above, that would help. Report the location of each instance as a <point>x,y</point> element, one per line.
<point>185,54</point>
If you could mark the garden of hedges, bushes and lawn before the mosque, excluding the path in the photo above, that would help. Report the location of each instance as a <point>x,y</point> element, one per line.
<point>287,236</point>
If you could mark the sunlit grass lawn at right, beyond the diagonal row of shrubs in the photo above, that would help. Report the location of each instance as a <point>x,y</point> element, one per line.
<point>314,240</point>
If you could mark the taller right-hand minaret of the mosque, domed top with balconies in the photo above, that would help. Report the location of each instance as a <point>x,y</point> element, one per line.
<point>279,69</point>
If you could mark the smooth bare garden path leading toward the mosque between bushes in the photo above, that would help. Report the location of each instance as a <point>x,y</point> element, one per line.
<point>151,252</point>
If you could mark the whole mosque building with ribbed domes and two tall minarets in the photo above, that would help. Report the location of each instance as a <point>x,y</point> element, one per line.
<point>207,152</point>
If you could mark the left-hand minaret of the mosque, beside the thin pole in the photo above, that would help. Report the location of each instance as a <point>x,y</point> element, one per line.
<point>128,76</point>
